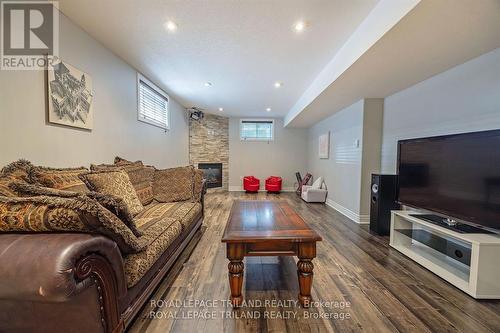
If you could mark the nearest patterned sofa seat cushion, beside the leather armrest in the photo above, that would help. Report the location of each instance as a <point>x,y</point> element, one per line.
<point>159,234</point>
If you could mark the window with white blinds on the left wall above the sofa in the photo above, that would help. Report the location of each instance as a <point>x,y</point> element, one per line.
<point>152,104</point>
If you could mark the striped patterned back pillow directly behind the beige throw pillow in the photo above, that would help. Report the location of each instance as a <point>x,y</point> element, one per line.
<point>140,176</point>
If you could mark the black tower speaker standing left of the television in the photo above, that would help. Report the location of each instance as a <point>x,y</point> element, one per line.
<point>383,196</point>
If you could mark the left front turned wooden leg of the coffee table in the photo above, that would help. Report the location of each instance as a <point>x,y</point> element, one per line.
<point>235,267</point>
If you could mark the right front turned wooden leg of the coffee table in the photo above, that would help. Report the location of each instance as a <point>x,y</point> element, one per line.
<point>306,252</point>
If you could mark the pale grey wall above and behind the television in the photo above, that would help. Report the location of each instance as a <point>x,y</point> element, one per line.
<point>465,98</point>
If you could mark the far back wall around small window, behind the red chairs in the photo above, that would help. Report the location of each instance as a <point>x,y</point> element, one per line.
<point>282,157</point>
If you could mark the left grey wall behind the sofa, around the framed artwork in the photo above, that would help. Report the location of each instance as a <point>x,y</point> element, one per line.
<point>25,134</point>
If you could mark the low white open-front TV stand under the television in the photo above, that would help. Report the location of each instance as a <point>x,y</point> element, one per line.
<point>480,279</point>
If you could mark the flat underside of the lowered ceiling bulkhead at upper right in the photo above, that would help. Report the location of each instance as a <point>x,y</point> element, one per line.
<point>435,36</point>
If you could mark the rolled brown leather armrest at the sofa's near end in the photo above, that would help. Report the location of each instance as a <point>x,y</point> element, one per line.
<point>54,267</point>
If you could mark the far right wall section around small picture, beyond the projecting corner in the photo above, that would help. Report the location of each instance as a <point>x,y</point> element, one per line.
<point>342,171</point>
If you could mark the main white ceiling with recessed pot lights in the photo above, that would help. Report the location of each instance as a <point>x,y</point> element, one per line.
<point>241,47</point>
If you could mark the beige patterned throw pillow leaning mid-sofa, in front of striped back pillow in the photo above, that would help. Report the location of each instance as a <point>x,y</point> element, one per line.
<point>115,182</point>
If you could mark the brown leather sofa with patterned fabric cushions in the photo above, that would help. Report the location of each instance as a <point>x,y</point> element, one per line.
<point>63,281</point>
